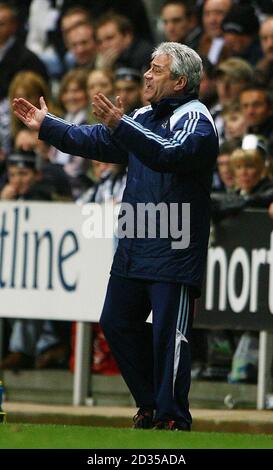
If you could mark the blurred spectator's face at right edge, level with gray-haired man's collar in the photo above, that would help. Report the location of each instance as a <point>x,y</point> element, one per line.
<point>255,107</point>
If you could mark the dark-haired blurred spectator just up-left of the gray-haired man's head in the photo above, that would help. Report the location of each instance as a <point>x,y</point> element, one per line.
<point>118,46</point>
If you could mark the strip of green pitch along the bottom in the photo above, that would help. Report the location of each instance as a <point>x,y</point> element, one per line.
<point>22,436</point>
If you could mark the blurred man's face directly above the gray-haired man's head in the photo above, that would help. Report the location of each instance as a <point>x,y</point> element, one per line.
<point>175,22</point>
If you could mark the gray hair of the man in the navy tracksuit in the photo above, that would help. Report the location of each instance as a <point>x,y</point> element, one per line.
<point>185,61</point>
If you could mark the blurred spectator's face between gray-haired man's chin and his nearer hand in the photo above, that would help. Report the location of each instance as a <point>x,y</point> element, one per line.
<point>129,92</point>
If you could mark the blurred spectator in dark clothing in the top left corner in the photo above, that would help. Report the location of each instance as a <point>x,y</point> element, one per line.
<point>14,56</point>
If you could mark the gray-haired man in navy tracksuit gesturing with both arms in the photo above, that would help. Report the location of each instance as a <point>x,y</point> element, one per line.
<point>171,148</point>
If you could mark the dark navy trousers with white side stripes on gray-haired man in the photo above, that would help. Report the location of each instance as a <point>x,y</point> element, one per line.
<point>154,359</point>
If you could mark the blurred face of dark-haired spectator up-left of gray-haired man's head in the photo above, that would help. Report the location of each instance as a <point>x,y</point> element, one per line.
<point>109,38</point>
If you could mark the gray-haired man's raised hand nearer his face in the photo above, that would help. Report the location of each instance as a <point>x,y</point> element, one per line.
<point>106,111</point>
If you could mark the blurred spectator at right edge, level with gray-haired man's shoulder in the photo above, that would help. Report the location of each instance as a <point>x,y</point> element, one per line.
<point>257,107</point>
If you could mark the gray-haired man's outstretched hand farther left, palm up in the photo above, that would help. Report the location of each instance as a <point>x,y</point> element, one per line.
<point>31,116</point>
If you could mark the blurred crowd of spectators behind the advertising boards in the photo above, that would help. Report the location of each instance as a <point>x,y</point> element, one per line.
<point>68,50</point>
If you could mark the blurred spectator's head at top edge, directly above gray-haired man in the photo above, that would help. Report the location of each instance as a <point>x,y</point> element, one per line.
<point>180,22</point>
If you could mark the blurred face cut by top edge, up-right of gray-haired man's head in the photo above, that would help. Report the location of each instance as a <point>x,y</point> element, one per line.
<point>213,14</point>
